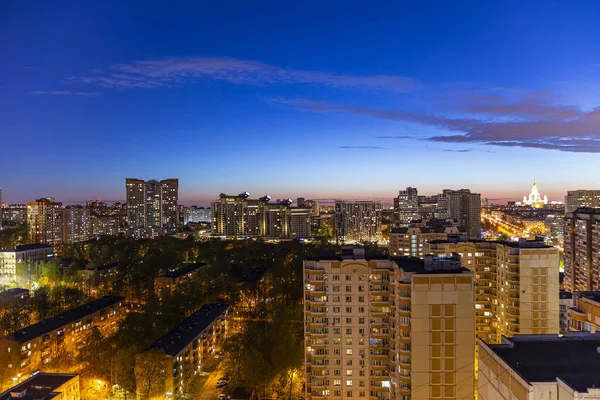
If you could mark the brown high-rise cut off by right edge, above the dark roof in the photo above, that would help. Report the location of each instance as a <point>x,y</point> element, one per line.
<point>582,250</point>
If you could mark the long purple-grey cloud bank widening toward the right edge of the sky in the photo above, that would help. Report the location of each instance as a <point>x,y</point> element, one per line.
<point>572,131</point>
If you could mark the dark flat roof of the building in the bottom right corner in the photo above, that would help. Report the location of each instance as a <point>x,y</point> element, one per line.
<point>544,358</point>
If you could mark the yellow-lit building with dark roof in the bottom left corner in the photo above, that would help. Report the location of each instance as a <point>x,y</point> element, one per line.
<point>44,386</point>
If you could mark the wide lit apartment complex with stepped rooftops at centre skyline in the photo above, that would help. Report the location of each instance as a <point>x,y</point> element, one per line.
<point>236,216</point>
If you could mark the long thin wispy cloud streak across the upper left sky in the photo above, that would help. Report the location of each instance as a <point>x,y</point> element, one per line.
<point>179,71</point>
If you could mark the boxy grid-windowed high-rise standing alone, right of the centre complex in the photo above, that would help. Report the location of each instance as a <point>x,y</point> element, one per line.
<point>358,221</point>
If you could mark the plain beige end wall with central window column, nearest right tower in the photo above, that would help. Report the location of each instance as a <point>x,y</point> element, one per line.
<point>443,336</point>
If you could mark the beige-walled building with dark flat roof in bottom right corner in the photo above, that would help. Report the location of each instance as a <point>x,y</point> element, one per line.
<point>532,367</point>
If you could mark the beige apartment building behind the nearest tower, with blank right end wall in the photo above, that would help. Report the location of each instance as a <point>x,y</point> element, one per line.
<point>516,285</point>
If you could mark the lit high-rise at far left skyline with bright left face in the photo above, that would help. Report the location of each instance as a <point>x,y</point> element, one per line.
<point>44,222</point>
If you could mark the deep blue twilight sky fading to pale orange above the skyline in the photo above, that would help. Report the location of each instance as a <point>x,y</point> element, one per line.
<point>318,99</point>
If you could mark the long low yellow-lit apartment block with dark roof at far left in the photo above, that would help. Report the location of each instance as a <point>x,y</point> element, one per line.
<point>64,333</point>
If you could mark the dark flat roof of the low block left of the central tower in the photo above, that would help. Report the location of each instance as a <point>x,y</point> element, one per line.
<point>174,341</point>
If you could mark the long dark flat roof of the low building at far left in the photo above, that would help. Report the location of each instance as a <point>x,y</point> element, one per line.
<point>60,320</point>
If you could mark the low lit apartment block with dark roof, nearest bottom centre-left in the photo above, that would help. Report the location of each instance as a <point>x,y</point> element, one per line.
<point>186,347</point>
